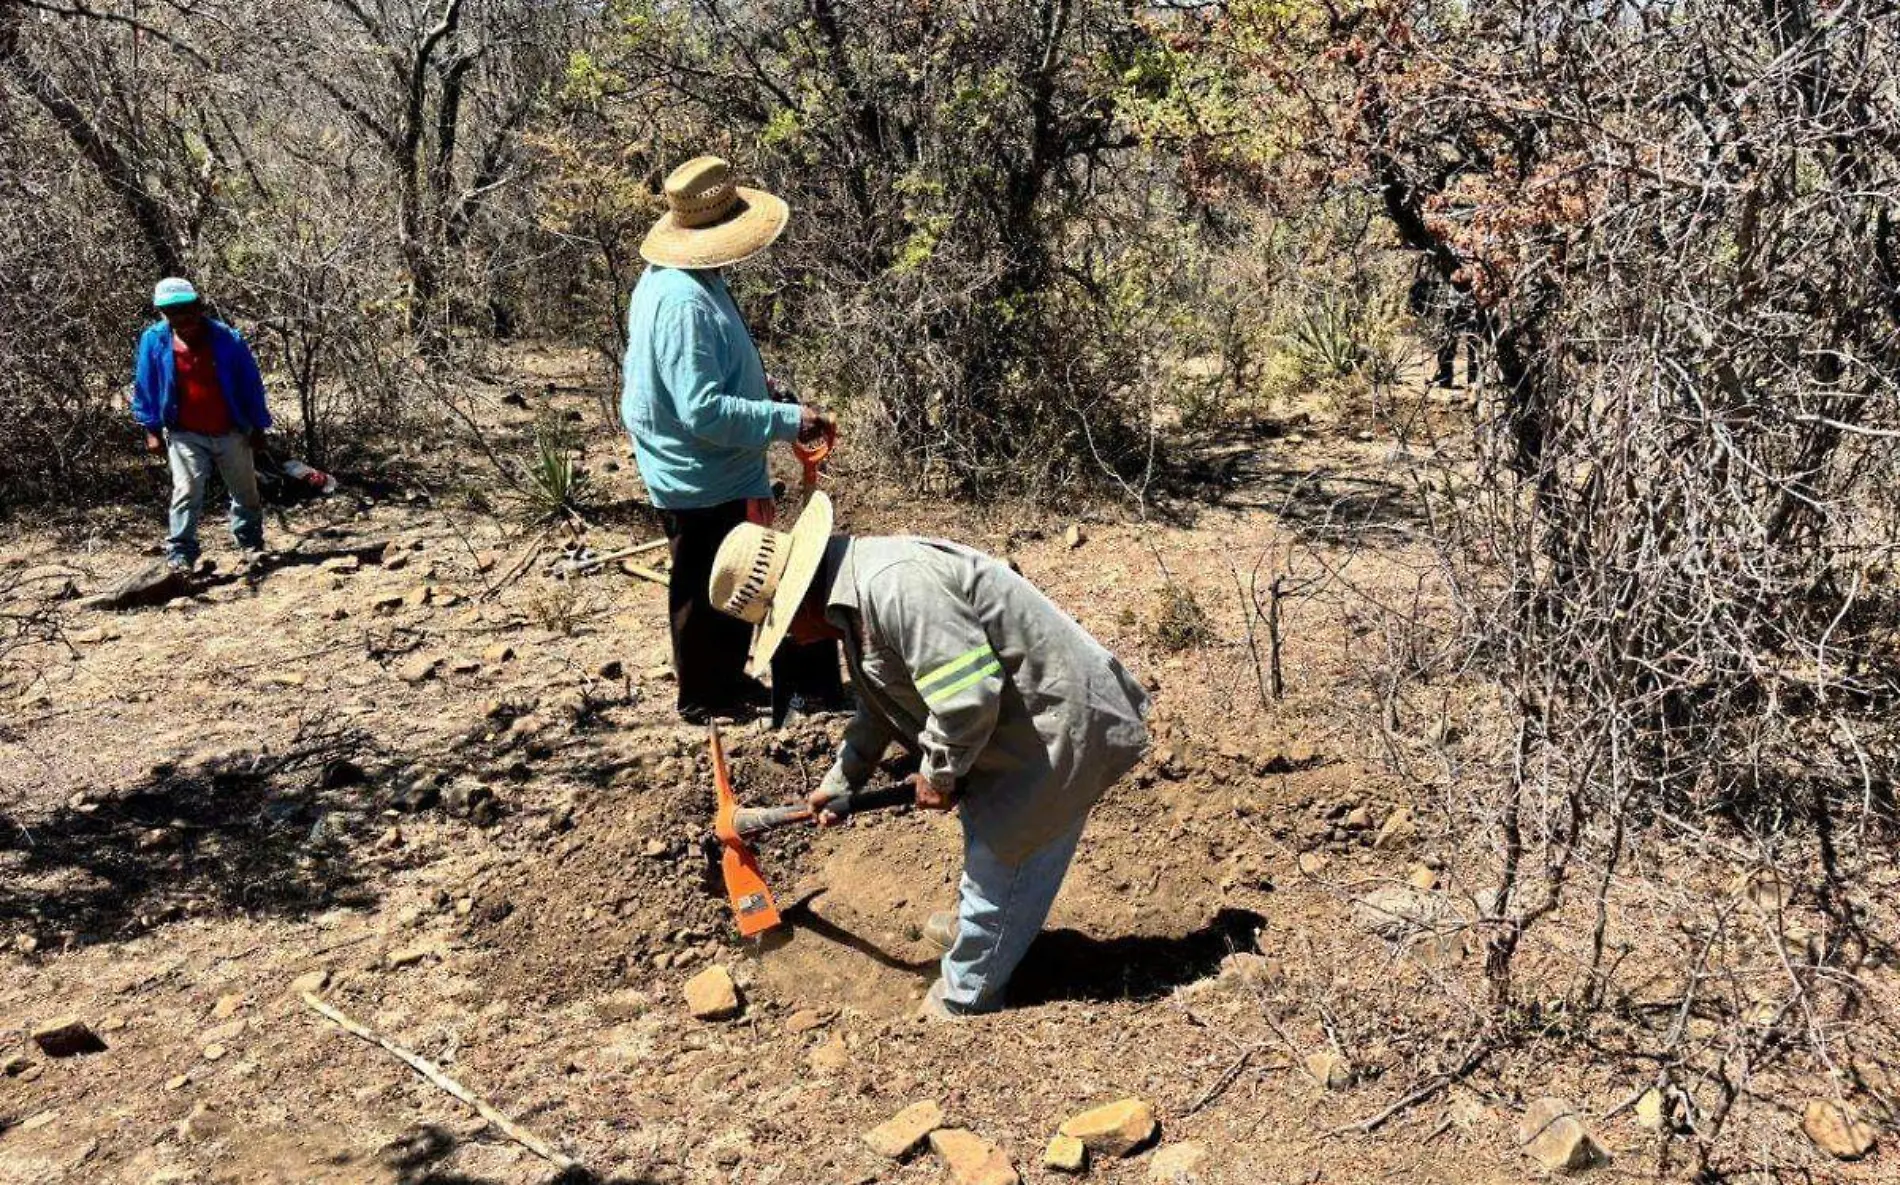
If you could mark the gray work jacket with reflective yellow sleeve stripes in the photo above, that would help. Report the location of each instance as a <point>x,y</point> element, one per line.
<point>1004,694</point>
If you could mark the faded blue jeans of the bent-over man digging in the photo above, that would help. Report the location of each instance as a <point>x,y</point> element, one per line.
<point>1000,912</point>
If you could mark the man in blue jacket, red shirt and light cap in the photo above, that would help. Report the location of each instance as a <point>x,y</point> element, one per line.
<point>199,394</point>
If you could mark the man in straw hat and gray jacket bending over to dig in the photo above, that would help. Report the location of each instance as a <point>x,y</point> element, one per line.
<point>1021,719</point>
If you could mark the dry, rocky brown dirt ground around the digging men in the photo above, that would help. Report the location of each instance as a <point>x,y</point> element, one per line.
<point>451,789</point>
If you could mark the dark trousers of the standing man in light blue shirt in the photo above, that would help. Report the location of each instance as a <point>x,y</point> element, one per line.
<point>710,649</point>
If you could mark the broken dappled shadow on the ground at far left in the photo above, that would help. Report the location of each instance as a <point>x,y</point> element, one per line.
<point>240,835</point>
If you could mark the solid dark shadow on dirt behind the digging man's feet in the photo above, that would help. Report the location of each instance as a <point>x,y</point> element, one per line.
<point>1069,966</point>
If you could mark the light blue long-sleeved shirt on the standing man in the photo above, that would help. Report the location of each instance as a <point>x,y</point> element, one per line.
<point>694,394</point>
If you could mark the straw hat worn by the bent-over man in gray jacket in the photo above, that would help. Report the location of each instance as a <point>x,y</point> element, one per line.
<point>763,574</point>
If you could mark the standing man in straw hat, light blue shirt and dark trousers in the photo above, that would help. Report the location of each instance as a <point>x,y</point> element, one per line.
<point>700,411</point>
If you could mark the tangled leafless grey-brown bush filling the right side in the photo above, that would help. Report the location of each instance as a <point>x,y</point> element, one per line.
<point>1663,540</point>
